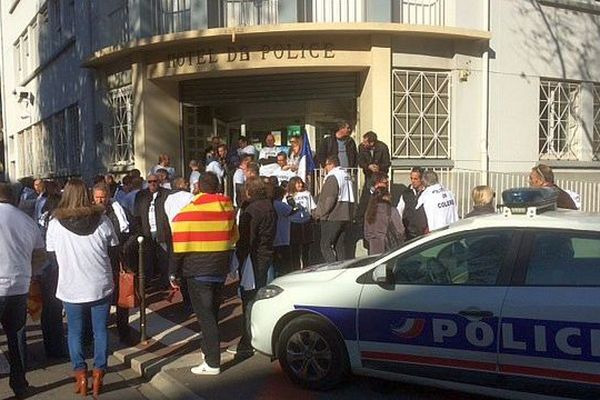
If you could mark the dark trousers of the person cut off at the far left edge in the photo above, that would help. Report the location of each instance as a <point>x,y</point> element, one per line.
<point>13,315</point>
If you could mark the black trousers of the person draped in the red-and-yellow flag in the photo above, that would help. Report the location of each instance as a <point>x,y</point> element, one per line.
<point>206,300</point>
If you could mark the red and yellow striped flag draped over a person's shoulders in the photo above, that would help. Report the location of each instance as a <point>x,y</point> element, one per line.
<point>207,224</point>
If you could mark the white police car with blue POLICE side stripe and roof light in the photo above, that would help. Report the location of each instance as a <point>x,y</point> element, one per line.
<point>505,305</point>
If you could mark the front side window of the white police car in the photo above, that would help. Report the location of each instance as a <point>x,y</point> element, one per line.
<point>473,259</point>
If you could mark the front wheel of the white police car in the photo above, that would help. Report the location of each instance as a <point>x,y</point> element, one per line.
<point>312,354</point>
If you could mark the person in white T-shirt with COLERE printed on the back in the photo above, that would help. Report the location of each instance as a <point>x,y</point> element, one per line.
<point>438,203</point>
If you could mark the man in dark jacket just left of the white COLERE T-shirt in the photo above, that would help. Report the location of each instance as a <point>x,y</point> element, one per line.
<point>415,221</point>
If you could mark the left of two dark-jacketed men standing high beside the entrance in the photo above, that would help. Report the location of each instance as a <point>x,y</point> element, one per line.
<point>341,145</point>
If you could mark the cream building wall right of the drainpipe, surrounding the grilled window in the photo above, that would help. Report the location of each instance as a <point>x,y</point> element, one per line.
<point>530,42</point>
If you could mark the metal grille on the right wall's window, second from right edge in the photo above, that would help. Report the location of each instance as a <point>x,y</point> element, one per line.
<point>559,120</point>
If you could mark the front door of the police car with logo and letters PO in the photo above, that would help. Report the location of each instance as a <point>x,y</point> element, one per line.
<point>439,318</point>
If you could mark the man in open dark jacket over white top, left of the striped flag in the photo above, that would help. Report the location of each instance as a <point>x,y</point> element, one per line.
<point>150,216</point>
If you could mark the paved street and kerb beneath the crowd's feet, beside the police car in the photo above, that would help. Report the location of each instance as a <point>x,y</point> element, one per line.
<point>160,368</point>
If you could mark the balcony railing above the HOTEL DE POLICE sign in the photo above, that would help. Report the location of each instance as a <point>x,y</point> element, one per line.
<point>179,15</point>
